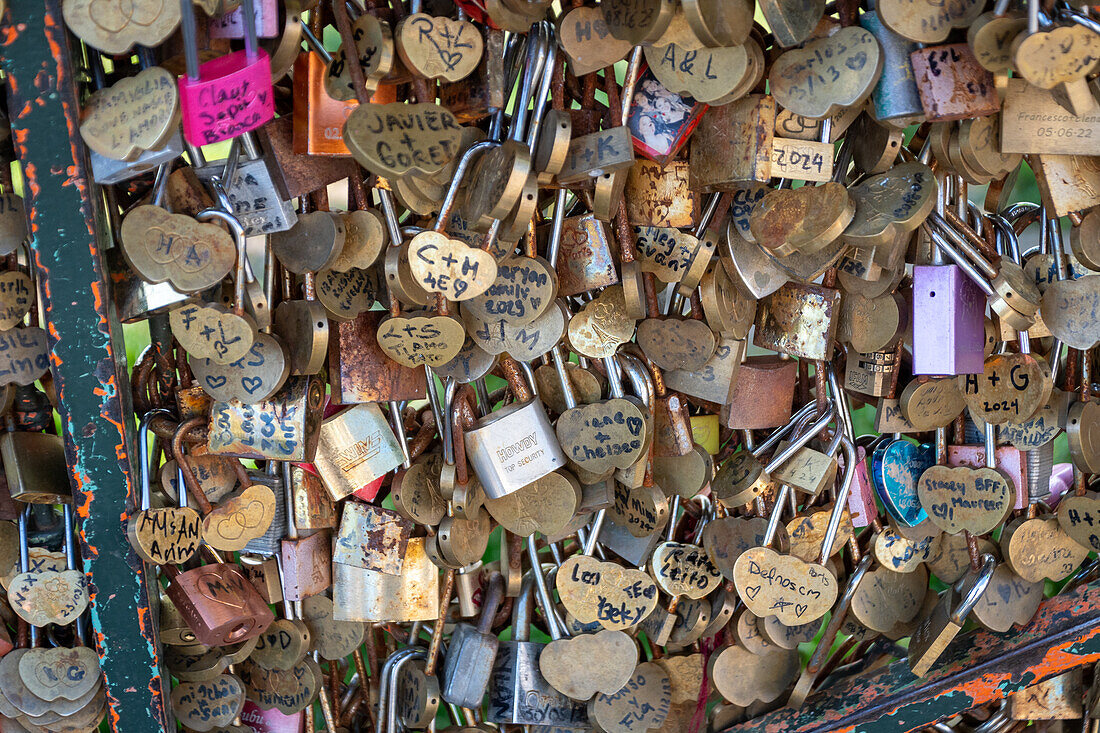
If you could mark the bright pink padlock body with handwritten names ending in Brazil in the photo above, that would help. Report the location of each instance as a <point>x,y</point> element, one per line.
<point>233,96</point>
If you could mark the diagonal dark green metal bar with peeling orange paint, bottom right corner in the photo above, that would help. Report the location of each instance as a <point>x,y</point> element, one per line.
<point>976,669</point>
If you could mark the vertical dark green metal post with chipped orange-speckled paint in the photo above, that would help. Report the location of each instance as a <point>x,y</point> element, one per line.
<point>87,355</point>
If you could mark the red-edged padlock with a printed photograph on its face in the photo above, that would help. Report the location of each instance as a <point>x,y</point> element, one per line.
<point>661,121</point>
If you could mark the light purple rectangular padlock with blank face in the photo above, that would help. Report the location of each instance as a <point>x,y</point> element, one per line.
<point>949,322</point>
